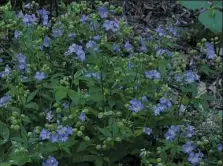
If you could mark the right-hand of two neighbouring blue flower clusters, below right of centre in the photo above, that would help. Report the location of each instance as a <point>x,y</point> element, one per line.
<point>163,105</point>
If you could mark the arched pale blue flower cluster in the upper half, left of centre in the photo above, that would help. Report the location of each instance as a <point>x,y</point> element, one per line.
<point>78,50</point>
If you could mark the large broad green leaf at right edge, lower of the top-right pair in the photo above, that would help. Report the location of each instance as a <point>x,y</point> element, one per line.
<point>212,21</point>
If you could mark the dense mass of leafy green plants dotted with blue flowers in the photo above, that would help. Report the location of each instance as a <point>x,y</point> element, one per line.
<point>84,89</point>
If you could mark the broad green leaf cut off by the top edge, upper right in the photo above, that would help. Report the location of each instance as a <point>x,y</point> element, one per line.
<point>194,4</point>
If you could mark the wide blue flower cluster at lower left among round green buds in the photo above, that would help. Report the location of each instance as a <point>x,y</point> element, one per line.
<point>61,135</point>
